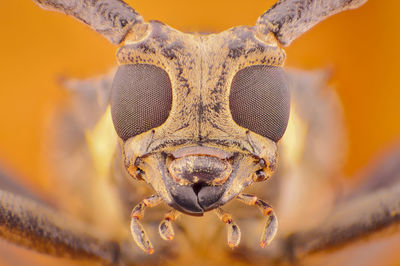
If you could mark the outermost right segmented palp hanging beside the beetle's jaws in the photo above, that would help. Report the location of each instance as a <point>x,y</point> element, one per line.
<point>271,225</point>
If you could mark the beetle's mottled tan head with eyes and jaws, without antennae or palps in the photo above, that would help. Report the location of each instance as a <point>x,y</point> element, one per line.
<point>199,116</point>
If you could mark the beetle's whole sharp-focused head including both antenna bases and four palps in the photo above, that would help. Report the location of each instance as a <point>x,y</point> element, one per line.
<point>199,116</point>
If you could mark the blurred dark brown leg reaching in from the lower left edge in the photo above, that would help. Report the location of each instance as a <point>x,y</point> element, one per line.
<point>31,224</point>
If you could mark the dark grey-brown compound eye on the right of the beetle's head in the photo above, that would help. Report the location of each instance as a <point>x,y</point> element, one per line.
<point>260,100</point>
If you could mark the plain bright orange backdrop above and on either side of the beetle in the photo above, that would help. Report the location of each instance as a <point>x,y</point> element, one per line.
<point>38,47</point>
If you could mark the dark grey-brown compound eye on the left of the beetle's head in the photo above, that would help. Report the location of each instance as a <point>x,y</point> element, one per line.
<point>141,99</point>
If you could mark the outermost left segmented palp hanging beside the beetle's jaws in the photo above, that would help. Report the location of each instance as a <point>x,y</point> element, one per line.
<point>138,233</point>
